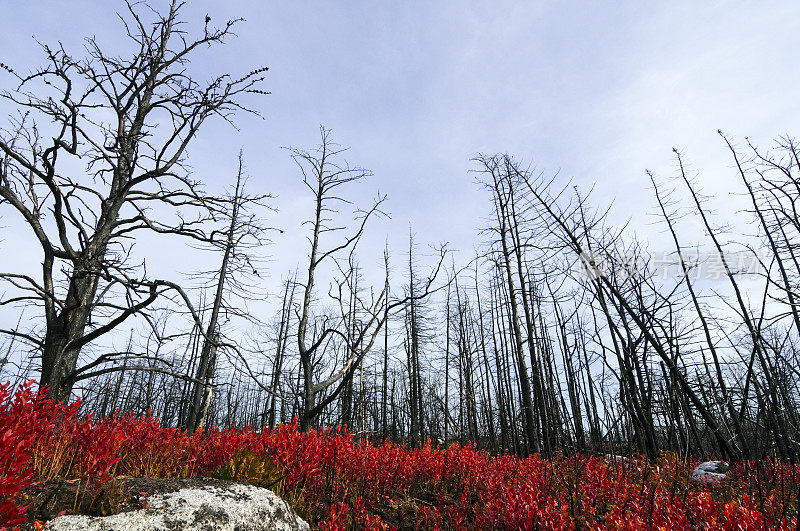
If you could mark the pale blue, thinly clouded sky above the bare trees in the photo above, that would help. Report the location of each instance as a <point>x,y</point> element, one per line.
<point>592,91</point>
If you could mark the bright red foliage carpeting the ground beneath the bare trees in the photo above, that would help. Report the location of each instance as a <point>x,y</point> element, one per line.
<point>338,483</point>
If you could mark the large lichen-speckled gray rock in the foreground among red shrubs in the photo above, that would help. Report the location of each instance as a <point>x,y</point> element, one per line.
<point>211,507</point>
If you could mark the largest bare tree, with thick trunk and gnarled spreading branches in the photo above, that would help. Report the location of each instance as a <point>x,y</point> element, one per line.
<point>96,155</point>
